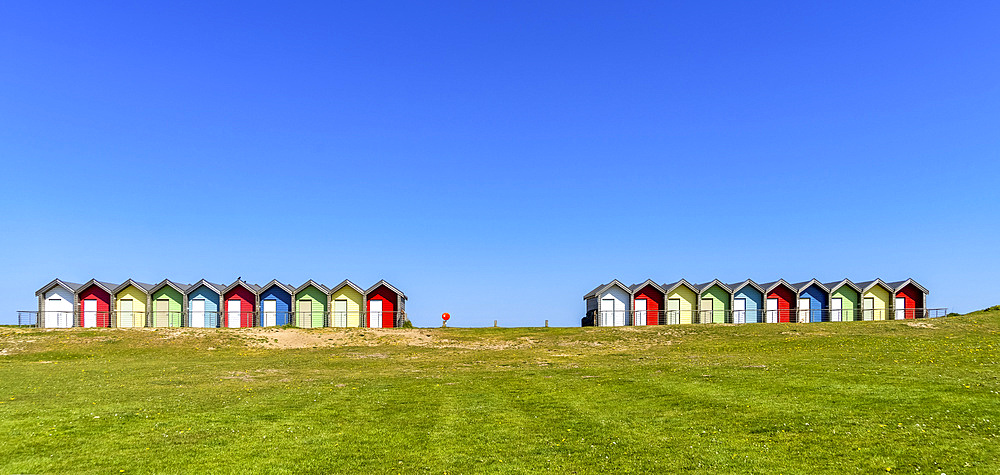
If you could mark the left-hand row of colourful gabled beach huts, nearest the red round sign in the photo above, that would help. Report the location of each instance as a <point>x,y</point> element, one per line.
<point>209,305</point>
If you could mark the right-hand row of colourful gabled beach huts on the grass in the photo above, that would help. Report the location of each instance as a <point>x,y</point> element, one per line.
<point>649,303</point>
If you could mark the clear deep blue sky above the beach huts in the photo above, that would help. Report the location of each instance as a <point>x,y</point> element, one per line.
<point>497,160</point>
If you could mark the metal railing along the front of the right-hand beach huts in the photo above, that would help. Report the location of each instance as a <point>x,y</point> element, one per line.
<point>677,317</point>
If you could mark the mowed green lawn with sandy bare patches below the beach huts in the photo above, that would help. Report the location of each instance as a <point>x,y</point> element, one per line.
<point>857,397</point>
